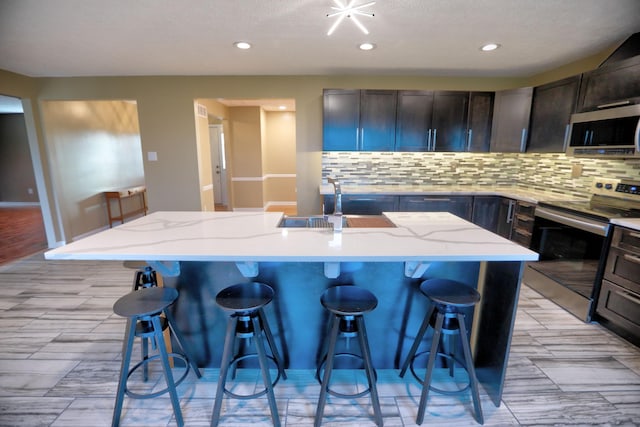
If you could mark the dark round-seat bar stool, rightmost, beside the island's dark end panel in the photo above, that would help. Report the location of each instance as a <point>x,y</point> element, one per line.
<point>445,316</point>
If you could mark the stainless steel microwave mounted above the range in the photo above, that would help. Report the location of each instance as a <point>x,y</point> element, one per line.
<point>613,133</point>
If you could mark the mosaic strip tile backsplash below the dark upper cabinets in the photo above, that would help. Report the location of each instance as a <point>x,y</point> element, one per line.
<point>537,171</point>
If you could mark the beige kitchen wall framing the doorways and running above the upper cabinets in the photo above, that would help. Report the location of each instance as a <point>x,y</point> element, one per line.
<point>166,119</point>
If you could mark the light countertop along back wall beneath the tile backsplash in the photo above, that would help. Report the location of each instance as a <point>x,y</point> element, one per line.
<point>513,192</point>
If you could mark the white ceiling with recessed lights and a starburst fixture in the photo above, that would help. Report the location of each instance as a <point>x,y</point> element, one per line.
<point>412,37</point>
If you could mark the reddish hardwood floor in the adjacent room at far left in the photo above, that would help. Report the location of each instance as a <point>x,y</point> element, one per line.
<point>21,232</point>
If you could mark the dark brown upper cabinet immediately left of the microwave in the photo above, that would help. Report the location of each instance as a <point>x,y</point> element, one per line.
<point>551,111</point>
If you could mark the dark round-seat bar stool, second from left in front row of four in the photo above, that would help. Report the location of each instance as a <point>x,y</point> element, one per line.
<point>247,320</point>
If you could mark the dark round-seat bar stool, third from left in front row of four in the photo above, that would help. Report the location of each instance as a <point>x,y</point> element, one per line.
<point>347,304</point>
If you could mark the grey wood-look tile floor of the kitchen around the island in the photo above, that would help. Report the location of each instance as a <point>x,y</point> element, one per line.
<point>60,349</point>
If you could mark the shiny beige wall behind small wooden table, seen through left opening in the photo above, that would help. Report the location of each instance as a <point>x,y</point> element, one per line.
<point>93,146</point>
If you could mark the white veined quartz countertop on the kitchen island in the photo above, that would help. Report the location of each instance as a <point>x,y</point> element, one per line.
<point>255,237</point>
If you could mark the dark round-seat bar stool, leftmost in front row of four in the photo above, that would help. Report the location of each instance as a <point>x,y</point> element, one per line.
<point>144,309</point>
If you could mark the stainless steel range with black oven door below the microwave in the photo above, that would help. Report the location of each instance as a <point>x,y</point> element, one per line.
<point>573,238</point>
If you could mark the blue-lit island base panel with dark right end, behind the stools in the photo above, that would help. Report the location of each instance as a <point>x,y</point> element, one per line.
<point>299,321</point>
